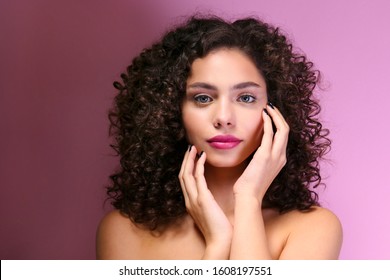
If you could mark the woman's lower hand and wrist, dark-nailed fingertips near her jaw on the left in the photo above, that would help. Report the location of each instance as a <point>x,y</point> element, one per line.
<point>204,210</point>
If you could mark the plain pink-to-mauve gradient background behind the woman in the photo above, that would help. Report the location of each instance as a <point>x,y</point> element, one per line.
<point>58,60</point>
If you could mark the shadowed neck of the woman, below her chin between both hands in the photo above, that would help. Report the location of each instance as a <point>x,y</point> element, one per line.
<point>220,181</point>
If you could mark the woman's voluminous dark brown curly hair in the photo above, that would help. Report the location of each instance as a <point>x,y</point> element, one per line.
<point>150,137</point>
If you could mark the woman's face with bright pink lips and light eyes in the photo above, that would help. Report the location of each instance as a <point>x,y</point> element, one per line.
<point>222,109</point>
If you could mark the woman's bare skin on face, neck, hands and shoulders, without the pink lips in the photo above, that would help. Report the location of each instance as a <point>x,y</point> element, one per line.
<point>222,188</point>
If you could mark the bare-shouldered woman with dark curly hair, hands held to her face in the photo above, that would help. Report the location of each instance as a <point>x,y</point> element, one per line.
<point>236,101</point>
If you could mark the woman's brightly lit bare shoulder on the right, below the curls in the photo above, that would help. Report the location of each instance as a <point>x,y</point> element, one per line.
<point>313,234</point>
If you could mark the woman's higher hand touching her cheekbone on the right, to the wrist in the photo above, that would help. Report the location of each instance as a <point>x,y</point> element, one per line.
<point>268,160</point>
